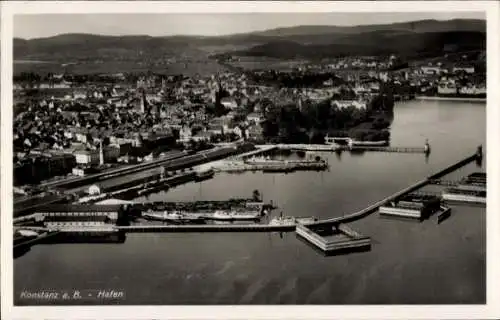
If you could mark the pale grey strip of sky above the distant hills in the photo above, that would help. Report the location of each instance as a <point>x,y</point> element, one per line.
<point>39,26</point>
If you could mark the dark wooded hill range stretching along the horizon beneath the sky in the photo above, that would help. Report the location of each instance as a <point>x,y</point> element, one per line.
<point>422,37</point>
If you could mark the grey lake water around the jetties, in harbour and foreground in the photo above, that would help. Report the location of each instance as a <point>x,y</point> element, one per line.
<point>409,263</point>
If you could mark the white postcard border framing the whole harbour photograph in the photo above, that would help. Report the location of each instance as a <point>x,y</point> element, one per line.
<point>491,310</point>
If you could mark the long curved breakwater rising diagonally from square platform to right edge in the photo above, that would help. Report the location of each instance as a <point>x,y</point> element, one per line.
<point>370,209</point>
